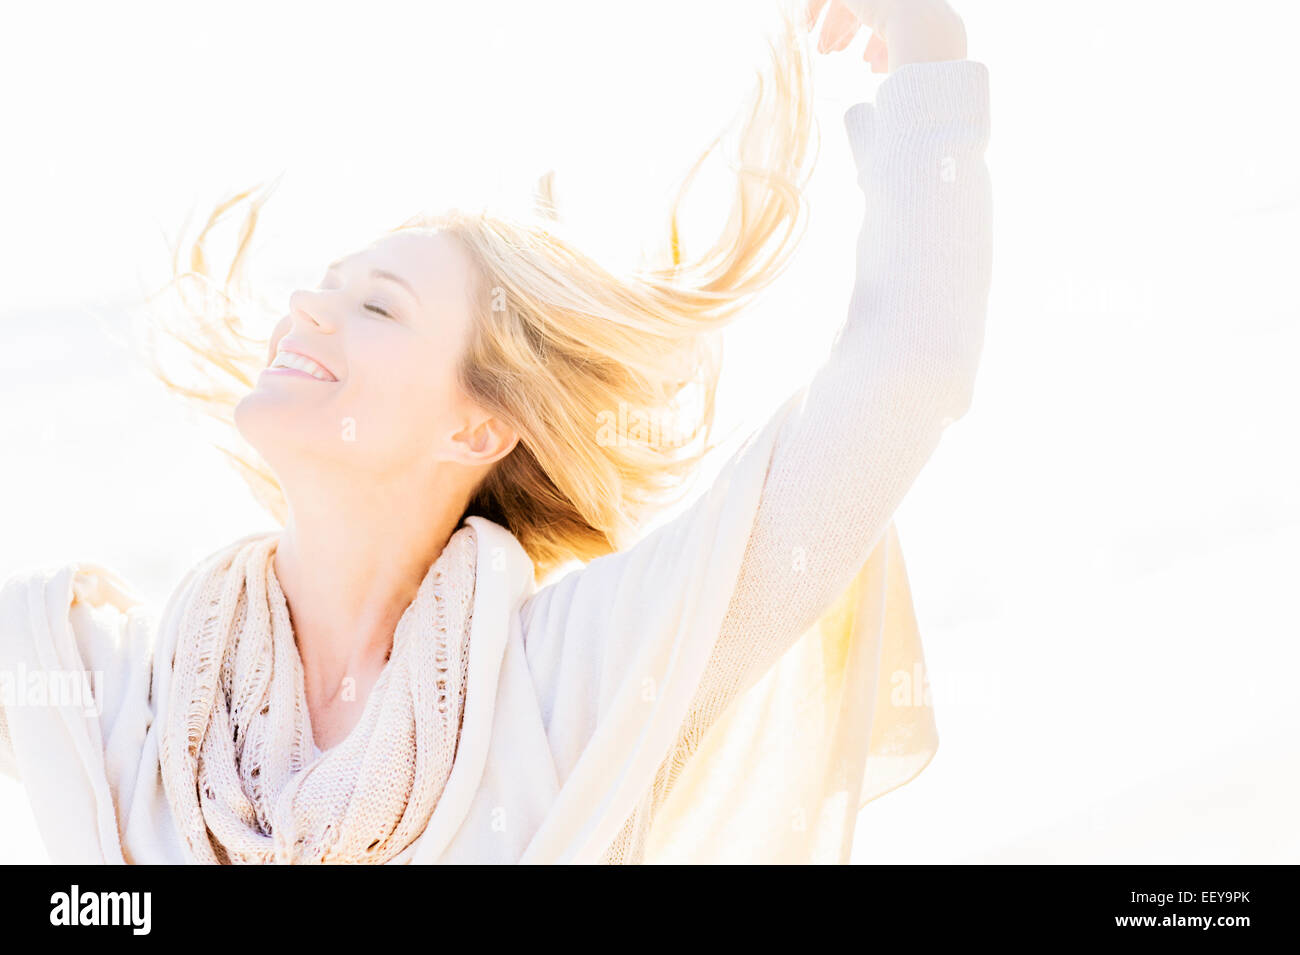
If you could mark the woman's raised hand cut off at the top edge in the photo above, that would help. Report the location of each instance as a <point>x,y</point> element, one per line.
<point>903,32</point>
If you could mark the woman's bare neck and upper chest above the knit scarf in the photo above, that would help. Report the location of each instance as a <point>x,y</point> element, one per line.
<point>350,562</point>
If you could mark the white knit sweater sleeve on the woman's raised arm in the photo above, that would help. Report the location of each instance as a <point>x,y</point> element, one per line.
<point>903,368</point>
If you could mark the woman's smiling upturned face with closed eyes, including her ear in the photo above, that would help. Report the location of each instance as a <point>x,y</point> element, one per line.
<point>363,371</point>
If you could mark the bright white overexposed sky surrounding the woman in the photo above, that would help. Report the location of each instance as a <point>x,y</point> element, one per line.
<point>1099,552</point>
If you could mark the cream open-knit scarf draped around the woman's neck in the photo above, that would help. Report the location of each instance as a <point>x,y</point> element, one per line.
<point>239,762</point>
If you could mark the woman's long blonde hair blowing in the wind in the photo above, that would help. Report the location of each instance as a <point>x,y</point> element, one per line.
<point>560,344</point>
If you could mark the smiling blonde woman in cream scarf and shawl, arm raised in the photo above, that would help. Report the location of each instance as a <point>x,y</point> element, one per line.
<point>383,680</point>
